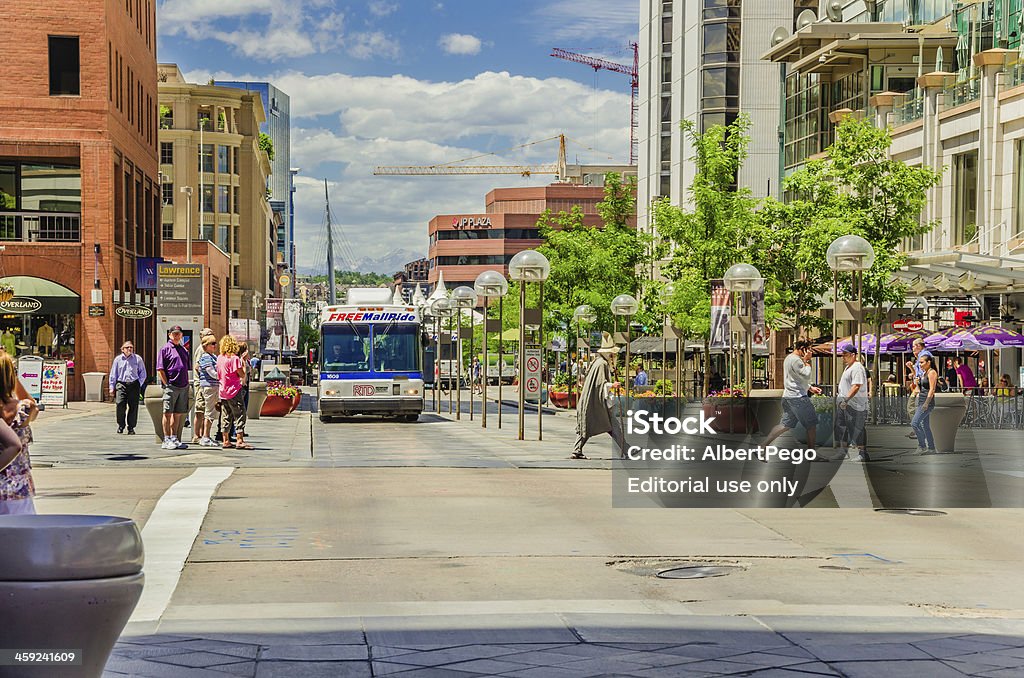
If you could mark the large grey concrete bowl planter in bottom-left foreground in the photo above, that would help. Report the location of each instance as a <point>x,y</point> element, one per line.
<point>68,582</point>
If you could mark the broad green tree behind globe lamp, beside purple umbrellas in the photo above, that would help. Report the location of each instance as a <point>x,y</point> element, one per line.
<point>858,189</point>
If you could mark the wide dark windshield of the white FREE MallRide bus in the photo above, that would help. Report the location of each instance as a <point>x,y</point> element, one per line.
<point>376,348</point>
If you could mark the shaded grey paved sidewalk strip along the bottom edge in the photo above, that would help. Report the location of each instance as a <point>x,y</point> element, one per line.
<point>576,646</point>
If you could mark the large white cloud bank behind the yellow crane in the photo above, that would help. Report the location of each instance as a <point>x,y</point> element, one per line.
<point>345,126</point>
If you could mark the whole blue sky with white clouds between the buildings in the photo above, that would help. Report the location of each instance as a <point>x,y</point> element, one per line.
<point>411,82</point>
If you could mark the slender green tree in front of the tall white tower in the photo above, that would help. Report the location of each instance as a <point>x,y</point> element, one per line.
<point>718,228</point>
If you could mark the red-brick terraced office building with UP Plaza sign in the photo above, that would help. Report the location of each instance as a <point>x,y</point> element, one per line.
<point>466,245</point>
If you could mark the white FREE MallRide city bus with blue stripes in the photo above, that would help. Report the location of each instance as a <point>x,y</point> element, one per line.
<point>371,358</point>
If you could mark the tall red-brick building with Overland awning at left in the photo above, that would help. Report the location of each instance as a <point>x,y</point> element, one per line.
<point>79,199</point>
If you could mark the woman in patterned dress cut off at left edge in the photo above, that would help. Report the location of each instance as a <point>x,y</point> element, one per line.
<point>17,486</point>
